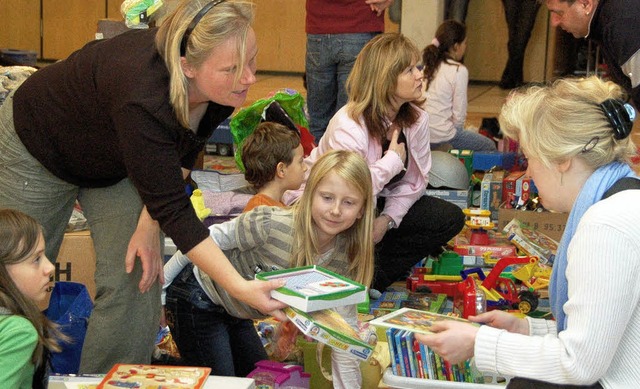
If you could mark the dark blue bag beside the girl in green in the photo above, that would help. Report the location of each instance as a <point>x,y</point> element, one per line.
<point>70,307</point>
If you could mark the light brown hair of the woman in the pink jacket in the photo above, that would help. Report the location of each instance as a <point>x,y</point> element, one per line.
<point>372,83</point>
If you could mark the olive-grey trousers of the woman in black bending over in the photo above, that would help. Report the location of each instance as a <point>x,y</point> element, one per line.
<point>123,325</point>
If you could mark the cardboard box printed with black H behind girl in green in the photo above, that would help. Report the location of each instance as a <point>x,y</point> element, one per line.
<point>77,260</point>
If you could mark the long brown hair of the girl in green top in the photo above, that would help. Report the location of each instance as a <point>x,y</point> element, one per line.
<point>19,234</point>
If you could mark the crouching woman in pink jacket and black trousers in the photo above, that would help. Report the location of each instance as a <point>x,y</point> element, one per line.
<point>383,122</point>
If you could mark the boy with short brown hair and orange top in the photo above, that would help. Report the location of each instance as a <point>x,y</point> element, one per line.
<point>273,159</point>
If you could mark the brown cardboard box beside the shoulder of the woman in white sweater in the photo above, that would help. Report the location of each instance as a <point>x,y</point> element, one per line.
<point>551,224</point>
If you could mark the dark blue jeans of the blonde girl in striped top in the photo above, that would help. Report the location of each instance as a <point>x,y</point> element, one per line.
<point>206,335</point>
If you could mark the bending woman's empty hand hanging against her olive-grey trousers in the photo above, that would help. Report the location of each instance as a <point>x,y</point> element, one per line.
<point>145,244</point>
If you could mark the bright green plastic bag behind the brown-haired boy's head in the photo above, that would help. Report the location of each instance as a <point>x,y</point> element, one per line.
<point>247,119</point>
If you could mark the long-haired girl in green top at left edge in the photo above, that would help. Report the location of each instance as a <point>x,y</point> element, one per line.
<point>26,336</point>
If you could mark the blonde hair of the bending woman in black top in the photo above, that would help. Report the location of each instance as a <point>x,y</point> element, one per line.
<point>226,20</point>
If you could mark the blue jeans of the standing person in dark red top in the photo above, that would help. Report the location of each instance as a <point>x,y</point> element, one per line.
<point>329,60</point>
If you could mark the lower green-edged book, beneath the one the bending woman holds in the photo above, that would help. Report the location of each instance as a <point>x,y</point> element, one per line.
<point>328,327</point>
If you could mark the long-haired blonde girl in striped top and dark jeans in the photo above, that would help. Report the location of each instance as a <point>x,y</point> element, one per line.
<point>331,226</point>
